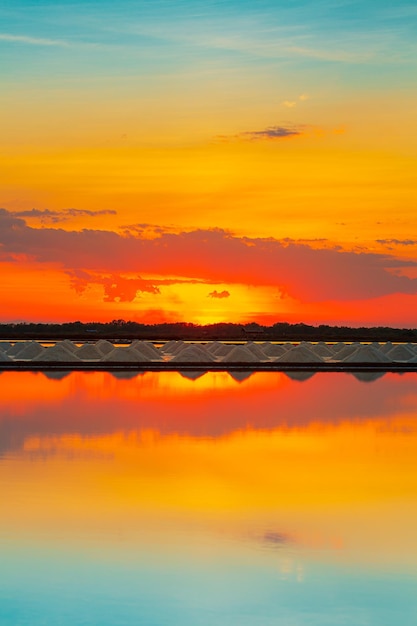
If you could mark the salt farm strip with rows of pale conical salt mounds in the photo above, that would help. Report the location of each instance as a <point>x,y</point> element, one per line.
<point>214,355</point>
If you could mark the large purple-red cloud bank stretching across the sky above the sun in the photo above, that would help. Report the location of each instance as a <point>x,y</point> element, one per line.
<point>302,272</point>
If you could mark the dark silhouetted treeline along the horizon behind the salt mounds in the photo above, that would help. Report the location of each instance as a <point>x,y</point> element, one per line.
<point>126,330</point>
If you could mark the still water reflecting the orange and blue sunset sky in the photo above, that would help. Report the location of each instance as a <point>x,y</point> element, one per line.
<point>164,500</point>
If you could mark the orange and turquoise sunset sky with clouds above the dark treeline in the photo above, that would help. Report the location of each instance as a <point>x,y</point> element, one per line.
<point>209,161</point>
